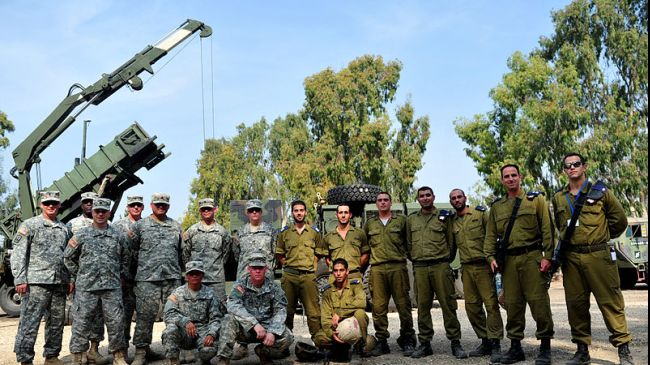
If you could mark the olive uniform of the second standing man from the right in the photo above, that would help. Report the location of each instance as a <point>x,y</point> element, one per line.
<point>531,240</point>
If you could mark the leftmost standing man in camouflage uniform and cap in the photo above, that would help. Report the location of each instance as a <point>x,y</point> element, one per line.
<point>42,280</point>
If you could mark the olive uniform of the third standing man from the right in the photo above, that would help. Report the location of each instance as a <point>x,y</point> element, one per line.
<point>478,279</point>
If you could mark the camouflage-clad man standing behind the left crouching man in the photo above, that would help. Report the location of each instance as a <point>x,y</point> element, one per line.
<point>209,242</point>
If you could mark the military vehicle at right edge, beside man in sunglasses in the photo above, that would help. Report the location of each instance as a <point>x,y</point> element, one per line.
<point>632,253</point>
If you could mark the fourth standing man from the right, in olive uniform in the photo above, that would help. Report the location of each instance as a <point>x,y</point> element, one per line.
<point>430,241</point>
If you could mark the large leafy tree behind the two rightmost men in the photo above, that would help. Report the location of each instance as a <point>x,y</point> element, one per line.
<point>584,89</point>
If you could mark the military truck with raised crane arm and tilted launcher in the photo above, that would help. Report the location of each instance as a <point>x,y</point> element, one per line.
<point>109,172</point>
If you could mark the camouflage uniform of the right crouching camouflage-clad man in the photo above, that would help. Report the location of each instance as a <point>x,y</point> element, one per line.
<point>249,306</point>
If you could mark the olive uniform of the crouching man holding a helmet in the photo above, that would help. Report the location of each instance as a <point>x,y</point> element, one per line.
<point>349,302</point>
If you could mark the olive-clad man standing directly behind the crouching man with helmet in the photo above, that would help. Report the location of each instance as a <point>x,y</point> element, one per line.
<point>347,242</point>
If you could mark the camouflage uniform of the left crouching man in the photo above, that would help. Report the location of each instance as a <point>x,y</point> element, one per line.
<point>203,309</point>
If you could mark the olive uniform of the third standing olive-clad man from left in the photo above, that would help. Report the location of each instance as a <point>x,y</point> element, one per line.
<point>389,275</point>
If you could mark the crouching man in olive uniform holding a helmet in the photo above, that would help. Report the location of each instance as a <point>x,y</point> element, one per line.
<point>345,298</point>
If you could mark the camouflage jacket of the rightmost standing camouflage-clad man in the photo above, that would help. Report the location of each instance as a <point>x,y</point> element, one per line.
<point>248,242</point>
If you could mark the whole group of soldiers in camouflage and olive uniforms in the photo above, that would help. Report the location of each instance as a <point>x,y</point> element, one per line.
<point>136,264</point>
